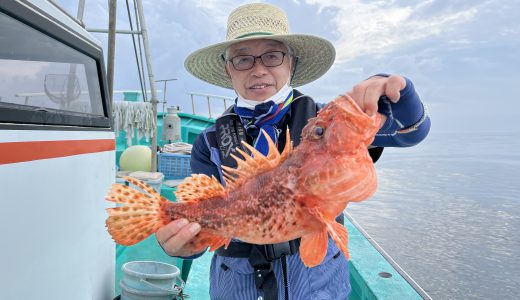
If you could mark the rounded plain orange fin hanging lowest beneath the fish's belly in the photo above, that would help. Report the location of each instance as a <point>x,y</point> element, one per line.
<point>313,248</point>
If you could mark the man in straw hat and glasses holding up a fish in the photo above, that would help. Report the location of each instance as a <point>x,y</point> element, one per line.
<point>262,63</point>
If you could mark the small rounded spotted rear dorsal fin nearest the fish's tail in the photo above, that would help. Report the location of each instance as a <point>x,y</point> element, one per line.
<point>199,187</point>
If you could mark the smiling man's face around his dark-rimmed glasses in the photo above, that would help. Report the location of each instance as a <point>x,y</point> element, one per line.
<point>260,82</point>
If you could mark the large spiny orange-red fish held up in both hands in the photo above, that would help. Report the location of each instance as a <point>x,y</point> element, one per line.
<point>267,199</point>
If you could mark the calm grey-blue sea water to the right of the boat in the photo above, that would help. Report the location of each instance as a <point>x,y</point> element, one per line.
<point>448,212</point>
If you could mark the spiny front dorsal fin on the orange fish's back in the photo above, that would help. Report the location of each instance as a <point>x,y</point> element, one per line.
<point>250,166</point>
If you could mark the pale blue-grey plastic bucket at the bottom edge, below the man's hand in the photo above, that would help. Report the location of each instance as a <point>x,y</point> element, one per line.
<point>150,280</point>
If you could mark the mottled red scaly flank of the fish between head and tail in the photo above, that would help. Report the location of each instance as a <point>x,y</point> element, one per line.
<point>258,206</point>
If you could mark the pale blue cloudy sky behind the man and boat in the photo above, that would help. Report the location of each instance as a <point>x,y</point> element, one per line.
<point>462,56</point>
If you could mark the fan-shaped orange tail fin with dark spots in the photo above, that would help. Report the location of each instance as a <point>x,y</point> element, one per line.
<point>141,215</point>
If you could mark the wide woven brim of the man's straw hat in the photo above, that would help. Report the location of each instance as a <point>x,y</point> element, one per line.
<point>315,57</point>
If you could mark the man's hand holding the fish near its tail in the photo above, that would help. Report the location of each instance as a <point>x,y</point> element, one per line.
<point>174,236</point>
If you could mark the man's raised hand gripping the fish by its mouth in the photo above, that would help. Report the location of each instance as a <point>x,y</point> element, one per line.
<point>367,93</point>
